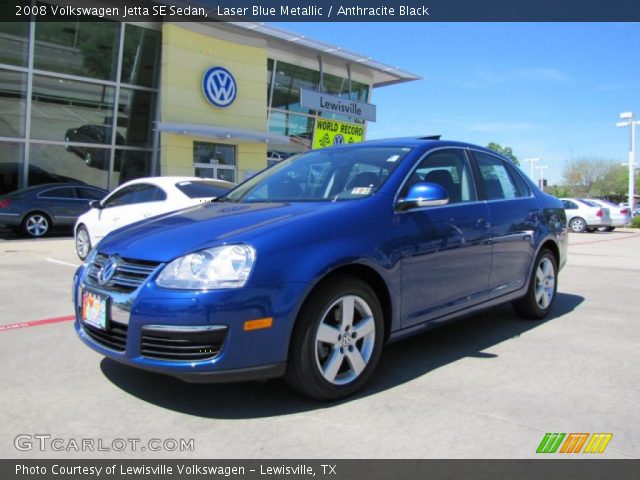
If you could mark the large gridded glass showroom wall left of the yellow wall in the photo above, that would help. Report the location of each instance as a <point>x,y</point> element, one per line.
<point>76,102</point>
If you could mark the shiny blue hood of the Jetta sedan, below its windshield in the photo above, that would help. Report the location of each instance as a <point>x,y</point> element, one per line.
<point>169,236</point>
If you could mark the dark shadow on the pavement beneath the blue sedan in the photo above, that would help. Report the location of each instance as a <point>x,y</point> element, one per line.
<point>401,362</point>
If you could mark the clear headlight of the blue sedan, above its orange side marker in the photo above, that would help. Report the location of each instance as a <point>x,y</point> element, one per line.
<point>220,267</point>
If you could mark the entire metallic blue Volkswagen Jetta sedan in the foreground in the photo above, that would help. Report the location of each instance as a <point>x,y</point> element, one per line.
<point>306,269</point>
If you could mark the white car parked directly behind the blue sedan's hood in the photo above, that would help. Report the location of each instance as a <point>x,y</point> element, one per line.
<point>140,199</point>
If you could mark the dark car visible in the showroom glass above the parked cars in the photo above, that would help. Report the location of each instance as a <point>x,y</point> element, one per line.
<point>94,156</point>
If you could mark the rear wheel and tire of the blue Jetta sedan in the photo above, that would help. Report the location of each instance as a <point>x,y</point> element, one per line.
<point>543,286</point>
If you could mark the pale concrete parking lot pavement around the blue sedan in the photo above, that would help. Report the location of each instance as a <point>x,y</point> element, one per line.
<point>489,386</point>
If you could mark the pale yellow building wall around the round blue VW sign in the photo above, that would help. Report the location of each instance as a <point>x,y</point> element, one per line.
<point>186,56</point>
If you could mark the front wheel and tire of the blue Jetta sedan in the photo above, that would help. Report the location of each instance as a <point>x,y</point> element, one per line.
<point>337,340</point>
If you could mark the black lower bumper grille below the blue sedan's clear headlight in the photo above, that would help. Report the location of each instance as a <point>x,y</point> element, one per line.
<point>182,345</point>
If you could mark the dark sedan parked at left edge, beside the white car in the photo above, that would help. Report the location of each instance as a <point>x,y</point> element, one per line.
<point>34,211</point>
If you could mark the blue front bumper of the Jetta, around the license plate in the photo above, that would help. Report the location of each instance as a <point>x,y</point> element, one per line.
<point>226,353</point>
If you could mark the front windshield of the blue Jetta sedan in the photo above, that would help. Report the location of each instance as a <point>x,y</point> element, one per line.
<point>322,176</point>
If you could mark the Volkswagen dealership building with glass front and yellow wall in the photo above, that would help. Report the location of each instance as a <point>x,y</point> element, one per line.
<point>105,102</point>
